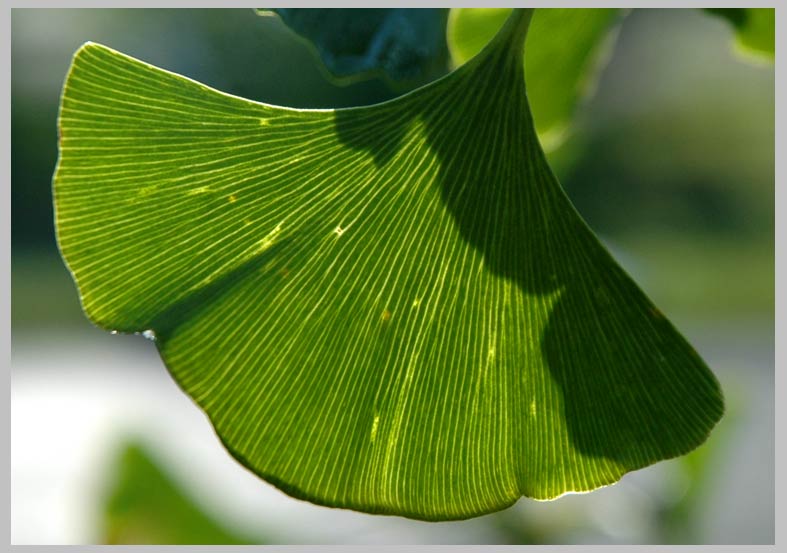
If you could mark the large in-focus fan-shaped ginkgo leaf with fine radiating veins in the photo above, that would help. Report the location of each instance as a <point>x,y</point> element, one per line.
<point>392,308</point>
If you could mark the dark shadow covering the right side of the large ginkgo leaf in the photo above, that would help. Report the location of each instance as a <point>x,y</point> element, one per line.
<point>633,389</point>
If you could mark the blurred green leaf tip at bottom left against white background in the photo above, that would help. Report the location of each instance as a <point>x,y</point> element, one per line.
<point>145,506</point>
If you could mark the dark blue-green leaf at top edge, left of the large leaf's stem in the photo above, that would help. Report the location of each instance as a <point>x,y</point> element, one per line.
<point>403,44</point>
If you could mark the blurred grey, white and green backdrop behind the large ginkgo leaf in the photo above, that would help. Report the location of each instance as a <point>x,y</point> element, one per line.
<point>671,161</point>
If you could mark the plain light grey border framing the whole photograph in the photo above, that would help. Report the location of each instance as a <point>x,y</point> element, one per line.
<point>5,243</point>
